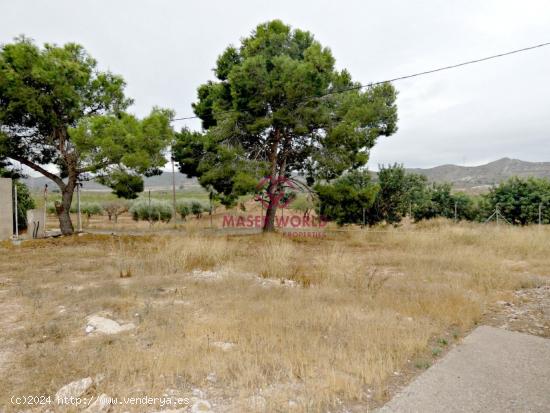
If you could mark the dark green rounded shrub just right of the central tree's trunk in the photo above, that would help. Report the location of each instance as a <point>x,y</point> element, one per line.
<point>348,198</point>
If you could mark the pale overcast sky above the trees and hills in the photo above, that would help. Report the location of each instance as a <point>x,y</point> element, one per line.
<point>470,115</point>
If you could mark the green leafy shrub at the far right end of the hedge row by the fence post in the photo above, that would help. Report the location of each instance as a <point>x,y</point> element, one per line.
<point>518,200</point>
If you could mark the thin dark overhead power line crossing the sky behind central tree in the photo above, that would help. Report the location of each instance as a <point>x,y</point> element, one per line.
<point>396,79</point>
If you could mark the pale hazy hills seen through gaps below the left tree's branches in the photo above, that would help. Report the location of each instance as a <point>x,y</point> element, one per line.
<point>153,183</point>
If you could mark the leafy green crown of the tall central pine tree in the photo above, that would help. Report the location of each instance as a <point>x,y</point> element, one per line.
<point>260,116</point>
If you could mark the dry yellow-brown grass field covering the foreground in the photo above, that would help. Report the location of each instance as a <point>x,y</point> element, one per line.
<point>323,323</point>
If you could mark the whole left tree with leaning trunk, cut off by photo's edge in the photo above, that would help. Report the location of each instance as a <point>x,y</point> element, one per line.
<point>57,108</point>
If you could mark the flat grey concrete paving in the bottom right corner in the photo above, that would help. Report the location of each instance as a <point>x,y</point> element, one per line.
<point>493,370</point>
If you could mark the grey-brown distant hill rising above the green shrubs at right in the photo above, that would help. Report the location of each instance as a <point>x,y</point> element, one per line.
<point>484,175</point>
